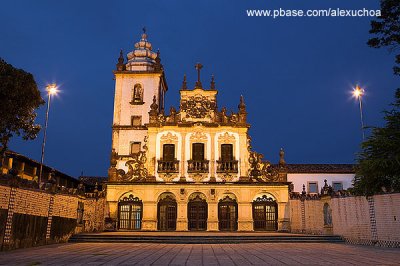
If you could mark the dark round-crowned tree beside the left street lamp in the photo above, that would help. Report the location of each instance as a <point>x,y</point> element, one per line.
<point>19,98</point>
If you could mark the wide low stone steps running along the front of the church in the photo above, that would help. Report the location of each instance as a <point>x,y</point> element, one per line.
<point>187,238</point>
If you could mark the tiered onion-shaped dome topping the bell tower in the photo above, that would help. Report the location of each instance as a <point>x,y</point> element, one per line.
<point>142,58</point>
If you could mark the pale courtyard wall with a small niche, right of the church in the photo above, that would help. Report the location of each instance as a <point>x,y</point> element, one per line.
<point>371,221</point>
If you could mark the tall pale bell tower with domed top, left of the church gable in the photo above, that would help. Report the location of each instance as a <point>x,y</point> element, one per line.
<point>138,81</point>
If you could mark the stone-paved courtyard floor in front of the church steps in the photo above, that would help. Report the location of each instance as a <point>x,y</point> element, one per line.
<point>214,254</point>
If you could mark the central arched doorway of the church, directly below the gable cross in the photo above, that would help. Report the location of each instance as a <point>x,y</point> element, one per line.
<point>197,212</point>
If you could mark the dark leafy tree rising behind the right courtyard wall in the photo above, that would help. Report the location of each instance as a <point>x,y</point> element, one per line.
<point>379,161</point>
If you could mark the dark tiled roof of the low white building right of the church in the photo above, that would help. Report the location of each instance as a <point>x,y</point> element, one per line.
<point>321,168</point>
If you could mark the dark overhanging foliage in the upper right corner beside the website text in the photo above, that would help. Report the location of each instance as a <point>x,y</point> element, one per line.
<point>387,30</point>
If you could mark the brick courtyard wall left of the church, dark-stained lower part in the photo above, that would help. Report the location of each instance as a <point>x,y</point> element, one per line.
<point>30,217</point>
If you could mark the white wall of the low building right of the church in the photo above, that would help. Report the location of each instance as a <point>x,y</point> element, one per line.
<point>299,179</point>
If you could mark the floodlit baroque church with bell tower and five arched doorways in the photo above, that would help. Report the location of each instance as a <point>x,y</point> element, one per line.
<point>191,168</point>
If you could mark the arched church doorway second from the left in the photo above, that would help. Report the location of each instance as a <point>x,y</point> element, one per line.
<point>166,212</point>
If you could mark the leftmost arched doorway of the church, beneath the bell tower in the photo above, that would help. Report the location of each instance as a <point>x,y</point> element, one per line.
<point>130,211</point>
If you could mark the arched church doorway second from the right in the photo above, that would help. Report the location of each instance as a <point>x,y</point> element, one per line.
<point>227,214</point>
